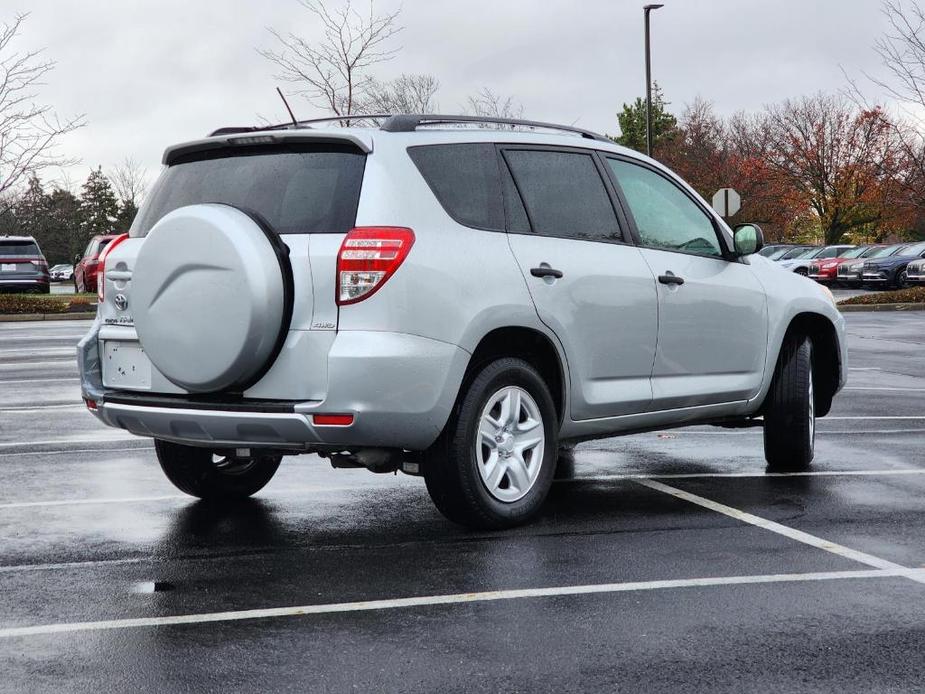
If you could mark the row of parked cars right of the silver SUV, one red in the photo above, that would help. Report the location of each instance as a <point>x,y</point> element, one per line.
<point>873,266</point>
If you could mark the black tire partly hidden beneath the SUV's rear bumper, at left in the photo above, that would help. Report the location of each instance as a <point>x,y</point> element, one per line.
<point>192,471</point>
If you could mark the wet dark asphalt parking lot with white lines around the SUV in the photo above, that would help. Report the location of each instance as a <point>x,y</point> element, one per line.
<point>832,597</point>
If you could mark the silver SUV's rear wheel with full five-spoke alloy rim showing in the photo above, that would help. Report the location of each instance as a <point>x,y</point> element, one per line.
<point>464,485</point>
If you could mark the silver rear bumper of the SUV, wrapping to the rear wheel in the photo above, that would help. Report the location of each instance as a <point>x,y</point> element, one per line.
<point>399,388</point>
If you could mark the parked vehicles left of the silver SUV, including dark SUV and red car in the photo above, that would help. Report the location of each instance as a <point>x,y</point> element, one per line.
<point>23,267</point>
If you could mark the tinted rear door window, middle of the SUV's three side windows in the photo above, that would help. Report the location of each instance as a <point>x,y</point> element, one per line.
<point>564,194</point>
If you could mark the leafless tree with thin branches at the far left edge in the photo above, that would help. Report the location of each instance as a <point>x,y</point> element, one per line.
<point>29,132</point>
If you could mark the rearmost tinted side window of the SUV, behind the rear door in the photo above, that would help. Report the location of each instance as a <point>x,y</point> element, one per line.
<point>465,180</point>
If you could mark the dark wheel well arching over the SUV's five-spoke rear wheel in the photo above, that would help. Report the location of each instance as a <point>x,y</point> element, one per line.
<point>530,345</point>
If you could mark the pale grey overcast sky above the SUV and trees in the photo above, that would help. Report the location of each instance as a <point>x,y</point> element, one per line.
<point>148,73</point>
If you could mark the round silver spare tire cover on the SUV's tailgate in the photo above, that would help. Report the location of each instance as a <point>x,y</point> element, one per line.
<point>208,292</point>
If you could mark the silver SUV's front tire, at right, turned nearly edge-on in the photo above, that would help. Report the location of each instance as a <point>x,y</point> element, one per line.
<point>790,413</point>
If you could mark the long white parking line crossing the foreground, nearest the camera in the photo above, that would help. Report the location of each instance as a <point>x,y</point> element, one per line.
<point>432,600</point>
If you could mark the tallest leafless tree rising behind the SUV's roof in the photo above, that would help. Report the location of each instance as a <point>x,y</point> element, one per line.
<point>331,72</point>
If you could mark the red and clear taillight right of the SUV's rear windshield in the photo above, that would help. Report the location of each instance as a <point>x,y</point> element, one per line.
<point>367,258</point>
